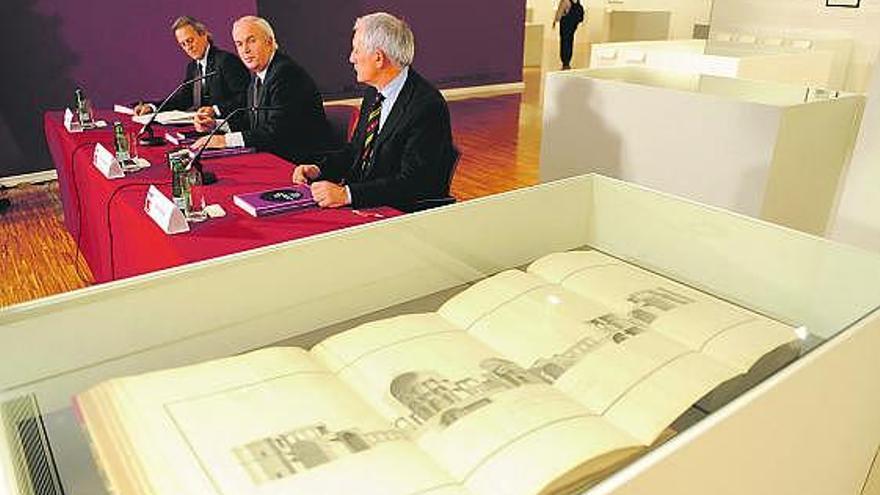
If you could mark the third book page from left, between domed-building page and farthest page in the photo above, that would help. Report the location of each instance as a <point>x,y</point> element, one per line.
<point>617,367</point>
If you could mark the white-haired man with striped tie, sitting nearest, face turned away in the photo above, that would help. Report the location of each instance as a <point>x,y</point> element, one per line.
<point>402,152</point>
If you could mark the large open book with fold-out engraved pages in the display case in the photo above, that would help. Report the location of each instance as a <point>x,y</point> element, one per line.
<point>527,382</point>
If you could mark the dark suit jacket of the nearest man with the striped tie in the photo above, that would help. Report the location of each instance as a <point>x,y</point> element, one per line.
<point>413,155</point>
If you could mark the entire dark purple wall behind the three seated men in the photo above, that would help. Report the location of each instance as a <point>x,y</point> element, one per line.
<point>119,51</point>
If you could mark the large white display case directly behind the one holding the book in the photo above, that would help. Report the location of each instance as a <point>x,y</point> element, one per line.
<point>763,149</point>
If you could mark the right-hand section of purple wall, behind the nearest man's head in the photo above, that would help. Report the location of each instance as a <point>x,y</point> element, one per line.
<point>458,42</point>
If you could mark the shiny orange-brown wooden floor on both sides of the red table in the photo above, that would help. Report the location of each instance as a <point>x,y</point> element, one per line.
<point>499,138</point>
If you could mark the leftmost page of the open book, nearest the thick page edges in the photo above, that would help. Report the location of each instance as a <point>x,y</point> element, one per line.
<point>268,422</point>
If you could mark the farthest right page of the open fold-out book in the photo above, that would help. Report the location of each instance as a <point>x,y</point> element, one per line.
<point>733,335</point>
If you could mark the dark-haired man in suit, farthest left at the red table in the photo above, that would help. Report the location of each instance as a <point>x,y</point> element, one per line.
<point>225,90</point>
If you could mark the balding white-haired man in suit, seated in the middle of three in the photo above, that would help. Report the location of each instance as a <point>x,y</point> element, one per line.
<point>294,127</point>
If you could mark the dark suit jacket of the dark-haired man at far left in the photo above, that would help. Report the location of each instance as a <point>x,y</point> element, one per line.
<point>226,89</point>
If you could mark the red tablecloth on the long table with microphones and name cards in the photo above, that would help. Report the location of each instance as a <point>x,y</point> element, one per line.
<point>118,239</point>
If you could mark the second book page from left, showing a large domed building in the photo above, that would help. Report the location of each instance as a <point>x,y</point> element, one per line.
<point>478,414</point>
